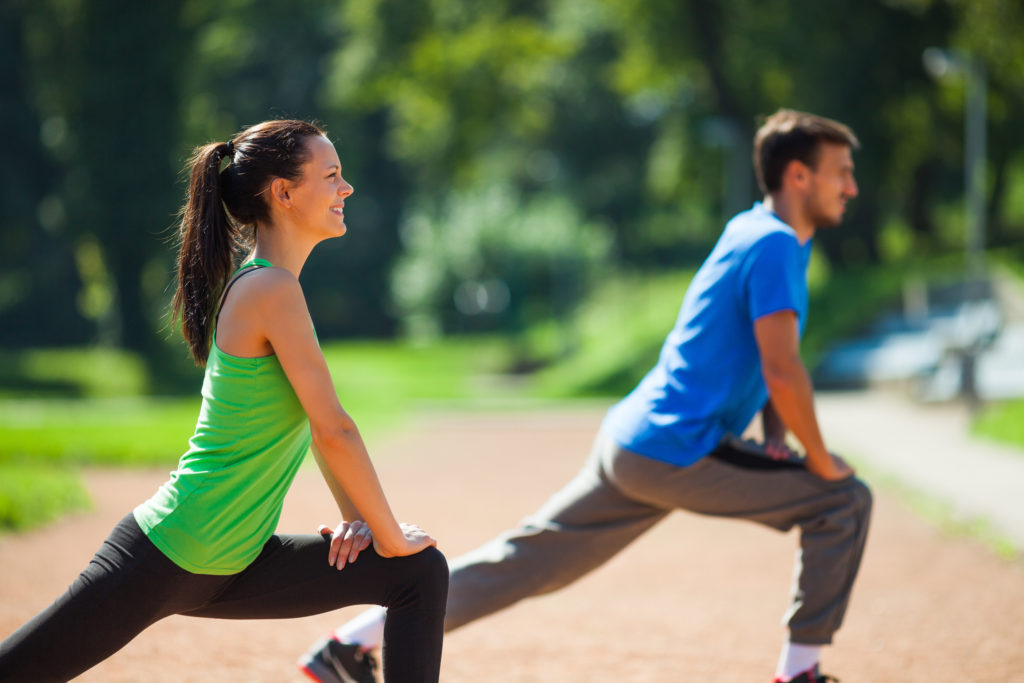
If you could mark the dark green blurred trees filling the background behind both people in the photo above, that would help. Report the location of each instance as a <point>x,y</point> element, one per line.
<point>633,116</point>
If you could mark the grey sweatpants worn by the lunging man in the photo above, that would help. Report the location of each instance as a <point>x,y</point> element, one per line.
<point>620,495</point>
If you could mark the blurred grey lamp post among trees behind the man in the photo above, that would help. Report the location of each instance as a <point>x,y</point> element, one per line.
<point>947,64</point>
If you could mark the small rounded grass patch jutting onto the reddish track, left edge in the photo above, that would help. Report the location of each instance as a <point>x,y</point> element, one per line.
<point>31,496</point>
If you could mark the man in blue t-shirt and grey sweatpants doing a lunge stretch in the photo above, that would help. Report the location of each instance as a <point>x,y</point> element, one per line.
<point>671,444</point>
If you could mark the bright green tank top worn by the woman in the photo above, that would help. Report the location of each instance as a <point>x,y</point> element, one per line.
<point>224,502</point>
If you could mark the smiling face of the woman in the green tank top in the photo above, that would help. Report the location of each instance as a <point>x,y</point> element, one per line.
<point>319,197</point>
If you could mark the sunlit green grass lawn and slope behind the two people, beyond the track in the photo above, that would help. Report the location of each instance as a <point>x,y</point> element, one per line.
<point>61,408</point>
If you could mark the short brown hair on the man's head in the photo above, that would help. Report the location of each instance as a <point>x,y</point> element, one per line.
<point>790,136</point>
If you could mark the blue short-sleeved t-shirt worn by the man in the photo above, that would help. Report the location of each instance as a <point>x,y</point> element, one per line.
<point>708,380</point>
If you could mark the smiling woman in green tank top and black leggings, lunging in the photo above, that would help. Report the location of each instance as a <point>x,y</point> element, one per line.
<point>204,544</point>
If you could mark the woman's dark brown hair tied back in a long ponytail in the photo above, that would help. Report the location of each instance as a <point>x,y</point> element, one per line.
<point>223,208</point>
